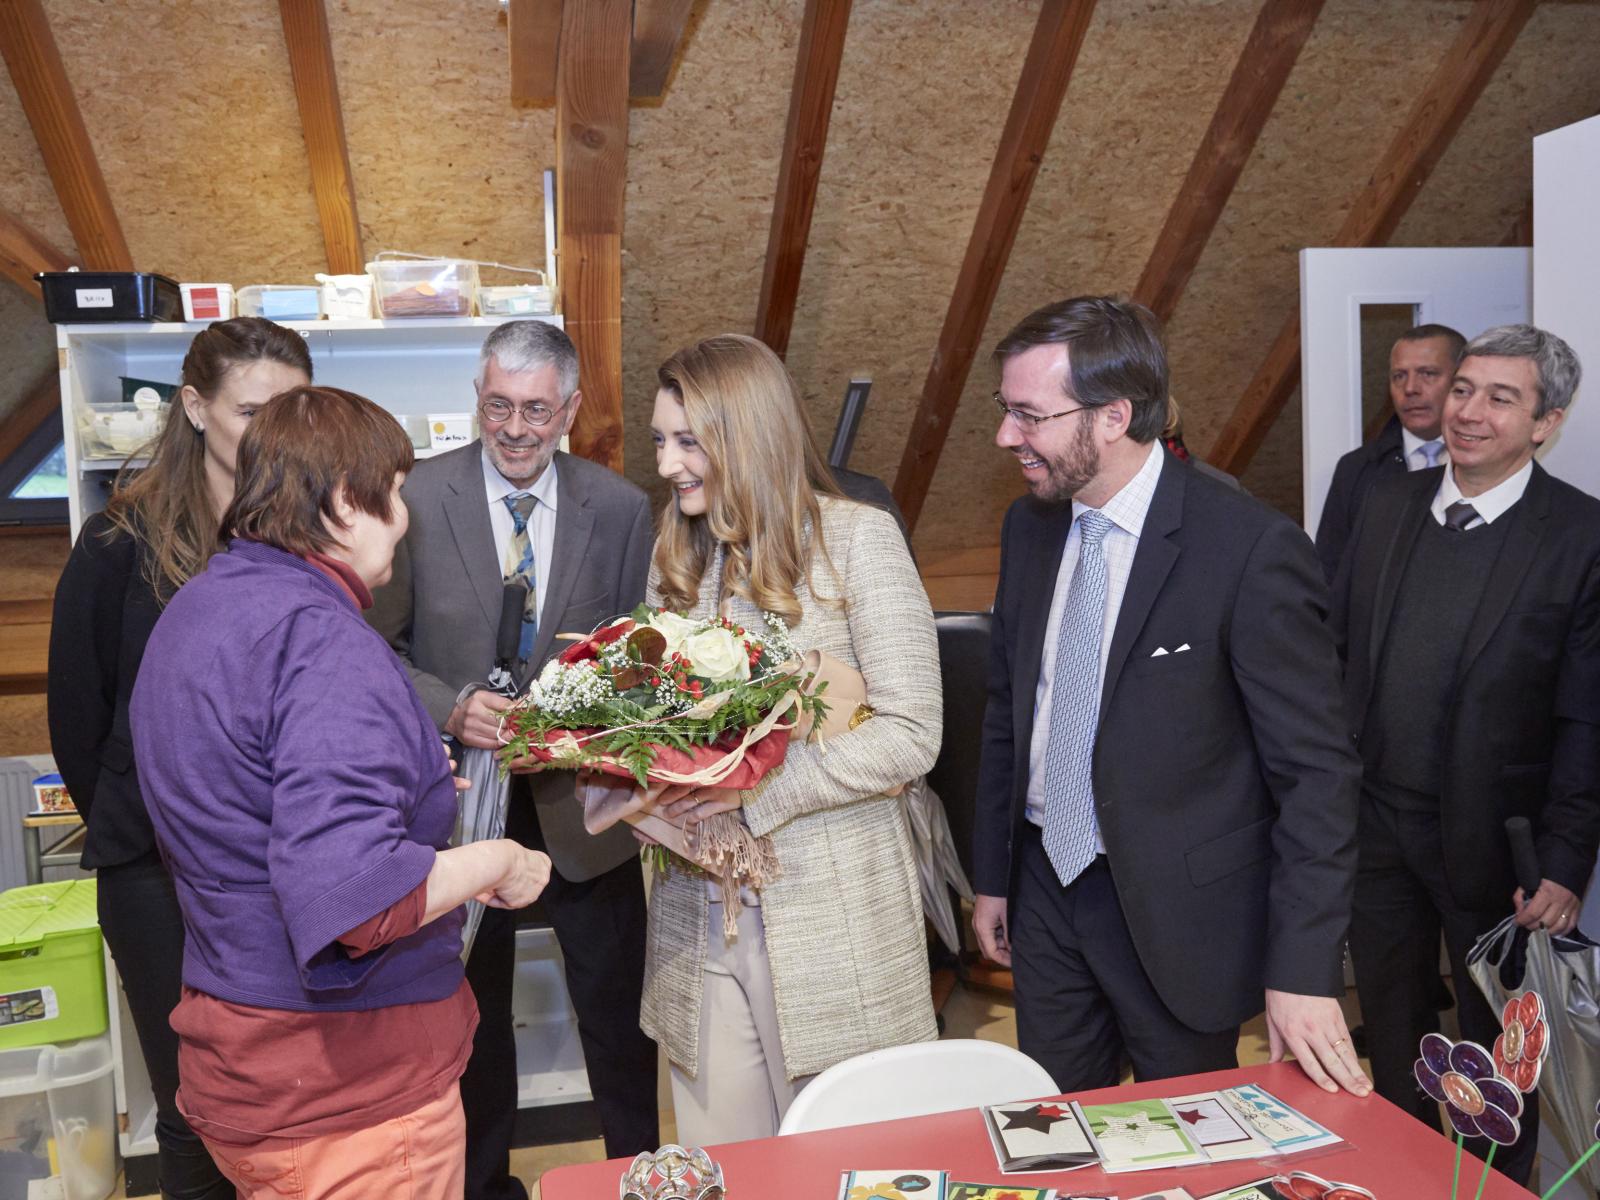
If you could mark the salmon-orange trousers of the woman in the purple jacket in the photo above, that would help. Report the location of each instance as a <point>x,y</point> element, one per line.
<point>420,1156</point>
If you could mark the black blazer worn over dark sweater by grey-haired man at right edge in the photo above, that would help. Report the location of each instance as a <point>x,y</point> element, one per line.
<point>1524,729</point>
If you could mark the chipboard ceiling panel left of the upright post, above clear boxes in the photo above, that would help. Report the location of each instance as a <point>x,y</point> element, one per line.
<point>442,162</point>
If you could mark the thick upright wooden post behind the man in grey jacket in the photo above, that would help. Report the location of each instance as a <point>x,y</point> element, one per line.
<point>591,170</point>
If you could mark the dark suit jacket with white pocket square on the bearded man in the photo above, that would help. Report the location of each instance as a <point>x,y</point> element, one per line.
<point>1225,785</point>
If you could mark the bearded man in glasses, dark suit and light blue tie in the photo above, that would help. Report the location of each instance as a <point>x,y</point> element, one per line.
<point>1166,831</point>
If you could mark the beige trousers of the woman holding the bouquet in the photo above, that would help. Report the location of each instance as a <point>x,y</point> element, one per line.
<point>742,1090</point>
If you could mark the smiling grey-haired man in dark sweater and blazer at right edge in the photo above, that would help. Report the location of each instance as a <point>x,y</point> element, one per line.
<point>1470,615</point>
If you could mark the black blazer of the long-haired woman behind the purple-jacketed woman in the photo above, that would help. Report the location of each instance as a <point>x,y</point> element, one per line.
<point>103,617</point>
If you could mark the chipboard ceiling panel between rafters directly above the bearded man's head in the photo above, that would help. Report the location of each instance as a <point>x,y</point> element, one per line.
<point>1146,84</point>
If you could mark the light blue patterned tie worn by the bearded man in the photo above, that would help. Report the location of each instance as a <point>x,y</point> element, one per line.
<point>1074,708</point>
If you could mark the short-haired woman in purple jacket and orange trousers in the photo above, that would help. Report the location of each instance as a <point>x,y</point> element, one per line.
<point>303,801</point>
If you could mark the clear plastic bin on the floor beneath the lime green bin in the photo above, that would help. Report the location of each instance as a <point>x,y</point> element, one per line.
<point>58,1116</point>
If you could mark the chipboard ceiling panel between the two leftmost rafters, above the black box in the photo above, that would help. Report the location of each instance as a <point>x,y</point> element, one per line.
<point>193,116</point>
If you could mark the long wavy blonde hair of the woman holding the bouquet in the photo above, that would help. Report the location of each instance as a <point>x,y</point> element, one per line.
<point>762,486</point>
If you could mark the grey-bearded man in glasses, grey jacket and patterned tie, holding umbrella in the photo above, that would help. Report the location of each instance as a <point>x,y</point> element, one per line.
<point>511,506</point>
